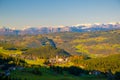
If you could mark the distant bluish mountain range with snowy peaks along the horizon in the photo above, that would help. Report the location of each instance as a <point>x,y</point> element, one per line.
<point>74,28</point>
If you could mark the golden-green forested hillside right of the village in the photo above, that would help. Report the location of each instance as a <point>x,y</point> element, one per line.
<point>103,64</point>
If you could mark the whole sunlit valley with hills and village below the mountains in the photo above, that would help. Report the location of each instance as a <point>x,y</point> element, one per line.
<point>60,56</point>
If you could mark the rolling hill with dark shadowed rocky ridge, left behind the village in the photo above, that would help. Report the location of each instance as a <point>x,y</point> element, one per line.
<point>30,47</point>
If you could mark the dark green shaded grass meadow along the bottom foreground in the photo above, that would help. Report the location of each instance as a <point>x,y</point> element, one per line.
<point>47,74</point>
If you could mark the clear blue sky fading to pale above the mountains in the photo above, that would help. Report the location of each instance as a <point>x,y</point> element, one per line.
<point>22,13</point>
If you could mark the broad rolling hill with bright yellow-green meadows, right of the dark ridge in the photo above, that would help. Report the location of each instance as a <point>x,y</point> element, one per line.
<point>93,44</point>
